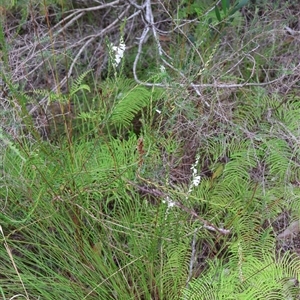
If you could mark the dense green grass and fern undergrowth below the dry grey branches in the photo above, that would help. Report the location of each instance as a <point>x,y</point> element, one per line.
<point>79,219</point>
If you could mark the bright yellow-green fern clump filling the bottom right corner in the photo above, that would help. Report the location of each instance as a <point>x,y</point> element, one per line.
<point>247,277</point>
